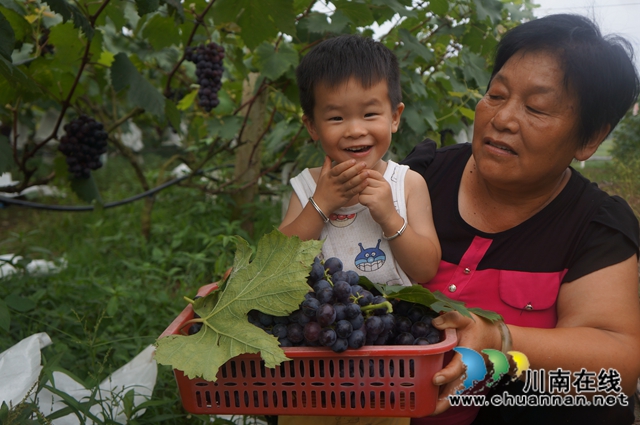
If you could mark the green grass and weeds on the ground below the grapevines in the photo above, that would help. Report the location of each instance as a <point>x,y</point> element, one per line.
<point>119,291</point>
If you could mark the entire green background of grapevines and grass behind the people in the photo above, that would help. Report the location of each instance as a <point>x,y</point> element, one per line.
<point>123,63</point>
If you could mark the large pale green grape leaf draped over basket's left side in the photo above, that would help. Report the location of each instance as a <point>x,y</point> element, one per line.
<point>273,282</point>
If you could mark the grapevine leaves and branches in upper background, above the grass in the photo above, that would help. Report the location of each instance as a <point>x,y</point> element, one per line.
<point>124,64</point>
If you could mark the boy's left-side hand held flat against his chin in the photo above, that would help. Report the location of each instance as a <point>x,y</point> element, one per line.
<point>337,185</point>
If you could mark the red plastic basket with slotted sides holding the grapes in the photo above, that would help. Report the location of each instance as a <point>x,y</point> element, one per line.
<point>386,381</point>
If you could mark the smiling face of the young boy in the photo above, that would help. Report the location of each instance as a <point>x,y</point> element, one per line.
<point>353,122</point>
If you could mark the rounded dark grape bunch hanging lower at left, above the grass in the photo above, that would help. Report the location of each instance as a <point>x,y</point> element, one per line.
<point>83,143</point>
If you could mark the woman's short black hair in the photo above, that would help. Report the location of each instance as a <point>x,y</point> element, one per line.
<point>598,69</point>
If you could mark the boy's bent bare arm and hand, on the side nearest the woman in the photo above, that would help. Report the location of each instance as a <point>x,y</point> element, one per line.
<point>417,250</point>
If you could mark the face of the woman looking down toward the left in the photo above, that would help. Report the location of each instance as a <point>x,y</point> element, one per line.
<point>525,126</point>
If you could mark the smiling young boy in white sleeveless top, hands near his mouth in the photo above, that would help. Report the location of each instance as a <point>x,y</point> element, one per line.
<point>374,215</point>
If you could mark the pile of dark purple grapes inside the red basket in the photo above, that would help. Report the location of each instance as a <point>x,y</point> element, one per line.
<point>340,313</point>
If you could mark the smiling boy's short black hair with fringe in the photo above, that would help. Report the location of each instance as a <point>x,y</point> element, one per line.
<point>337,59</point>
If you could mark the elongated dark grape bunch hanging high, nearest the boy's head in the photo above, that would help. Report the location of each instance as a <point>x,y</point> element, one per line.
<point>209,69</point>
